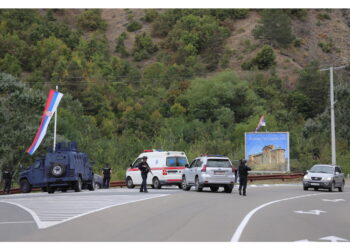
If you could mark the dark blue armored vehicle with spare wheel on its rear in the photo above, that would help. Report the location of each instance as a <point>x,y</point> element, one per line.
<point>64,169</point>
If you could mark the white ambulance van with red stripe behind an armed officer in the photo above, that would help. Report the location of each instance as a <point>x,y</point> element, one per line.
<point>167,168</point>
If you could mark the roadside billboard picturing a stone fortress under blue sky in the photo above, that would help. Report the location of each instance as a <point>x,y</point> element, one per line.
<point>267,151</point>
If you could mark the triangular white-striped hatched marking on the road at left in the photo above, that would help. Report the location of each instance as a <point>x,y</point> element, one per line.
<point>51,210</point>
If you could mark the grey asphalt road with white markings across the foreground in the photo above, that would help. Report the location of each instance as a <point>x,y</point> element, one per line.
<point>273,213</point>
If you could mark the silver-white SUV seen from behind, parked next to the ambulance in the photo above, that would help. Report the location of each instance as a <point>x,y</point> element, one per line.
<point>211,171</point>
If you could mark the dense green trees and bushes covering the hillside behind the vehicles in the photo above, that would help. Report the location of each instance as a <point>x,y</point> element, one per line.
<point>172,87</point>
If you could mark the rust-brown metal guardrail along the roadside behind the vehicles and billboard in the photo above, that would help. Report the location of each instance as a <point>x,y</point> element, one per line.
<point>251,178</point>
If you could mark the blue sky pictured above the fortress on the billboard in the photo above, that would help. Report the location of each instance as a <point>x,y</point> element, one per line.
<point>256,141</point>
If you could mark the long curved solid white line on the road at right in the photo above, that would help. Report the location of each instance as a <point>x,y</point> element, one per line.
<point>237,235</point>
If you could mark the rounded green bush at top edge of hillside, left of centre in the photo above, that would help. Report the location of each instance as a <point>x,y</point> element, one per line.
<point>91,20</point>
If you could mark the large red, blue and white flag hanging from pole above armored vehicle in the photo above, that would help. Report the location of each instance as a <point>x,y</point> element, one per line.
<point>52,102</point>
